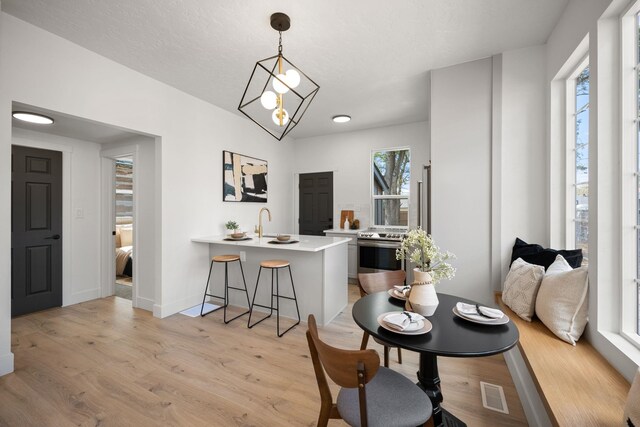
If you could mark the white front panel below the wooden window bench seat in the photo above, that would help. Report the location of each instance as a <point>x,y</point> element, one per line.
<point>532,405</point>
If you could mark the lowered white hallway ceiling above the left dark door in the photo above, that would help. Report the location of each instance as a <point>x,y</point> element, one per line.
<point>71,127</point>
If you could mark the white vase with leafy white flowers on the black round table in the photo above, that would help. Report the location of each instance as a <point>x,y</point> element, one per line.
<point>431,264</point>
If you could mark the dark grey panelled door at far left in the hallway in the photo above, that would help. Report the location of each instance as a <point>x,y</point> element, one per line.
<point>36,230</point>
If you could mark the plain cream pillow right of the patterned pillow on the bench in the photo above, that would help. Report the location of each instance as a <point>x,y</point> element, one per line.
<point>562,303</point>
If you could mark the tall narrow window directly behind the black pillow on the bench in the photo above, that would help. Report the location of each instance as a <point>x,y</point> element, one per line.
<point>581,159</point>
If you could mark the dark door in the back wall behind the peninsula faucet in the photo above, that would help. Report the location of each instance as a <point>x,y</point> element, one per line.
<point>316,203</point>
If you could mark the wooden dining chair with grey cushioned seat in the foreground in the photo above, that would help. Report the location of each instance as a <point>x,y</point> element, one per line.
<point>371,395</point>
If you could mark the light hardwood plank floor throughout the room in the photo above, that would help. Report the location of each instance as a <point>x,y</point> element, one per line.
<point>104,363</point>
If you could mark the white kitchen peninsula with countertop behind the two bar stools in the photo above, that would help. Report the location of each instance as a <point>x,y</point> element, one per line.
<point>318,265</point>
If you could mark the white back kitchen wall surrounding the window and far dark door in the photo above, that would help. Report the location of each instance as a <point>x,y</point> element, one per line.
<point>348,155</point>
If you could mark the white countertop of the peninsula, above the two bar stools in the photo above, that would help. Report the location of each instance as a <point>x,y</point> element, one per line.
<point>306,243</point>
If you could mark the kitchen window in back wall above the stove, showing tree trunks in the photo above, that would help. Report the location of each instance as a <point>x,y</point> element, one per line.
<point>390,186</point>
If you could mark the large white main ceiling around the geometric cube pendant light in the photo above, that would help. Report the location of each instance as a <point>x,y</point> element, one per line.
<point>370,57</point>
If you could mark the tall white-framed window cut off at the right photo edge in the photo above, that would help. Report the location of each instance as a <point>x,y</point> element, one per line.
<point>629,176</point>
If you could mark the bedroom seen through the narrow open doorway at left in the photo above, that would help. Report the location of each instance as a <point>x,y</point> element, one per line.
<point>124,225</point>
